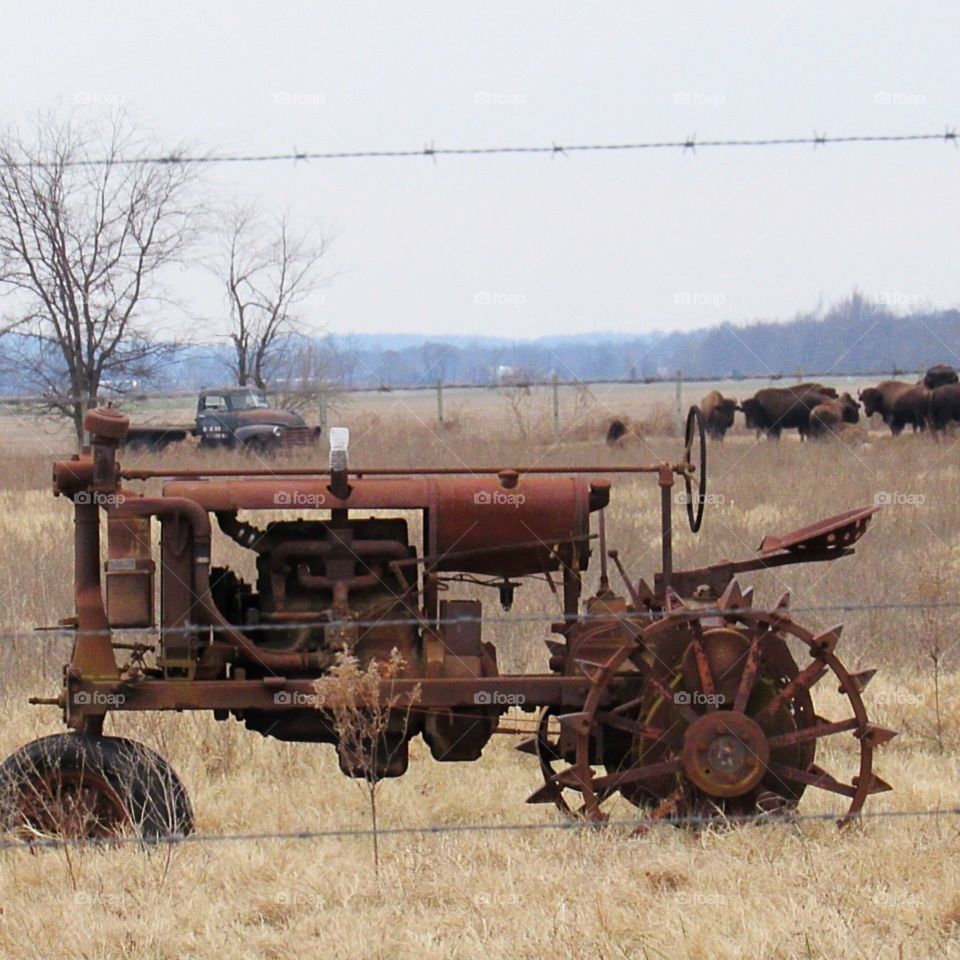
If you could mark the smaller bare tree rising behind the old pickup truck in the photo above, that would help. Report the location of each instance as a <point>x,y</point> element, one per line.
<point>268,270</point>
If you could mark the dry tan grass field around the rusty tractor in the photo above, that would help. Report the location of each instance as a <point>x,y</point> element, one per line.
<point>885,888</point>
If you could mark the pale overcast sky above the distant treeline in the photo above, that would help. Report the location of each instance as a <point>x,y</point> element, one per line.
<point>527,246</point>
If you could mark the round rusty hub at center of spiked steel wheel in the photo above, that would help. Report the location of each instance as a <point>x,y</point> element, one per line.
<point>725,754</point>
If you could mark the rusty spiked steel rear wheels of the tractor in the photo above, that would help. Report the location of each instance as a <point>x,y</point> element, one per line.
<point>726,730</point>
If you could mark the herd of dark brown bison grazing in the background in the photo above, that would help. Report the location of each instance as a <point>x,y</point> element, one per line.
<point>818,412</point>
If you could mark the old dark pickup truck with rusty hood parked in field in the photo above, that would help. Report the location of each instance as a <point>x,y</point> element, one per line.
<point>230,417</point>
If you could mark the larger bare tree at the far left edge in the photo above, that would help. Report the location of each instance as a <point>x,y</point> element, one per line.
<point>86,231</point>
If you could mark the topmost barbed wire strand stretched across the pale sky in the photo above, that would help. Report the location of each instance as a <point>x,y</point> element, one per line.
<point>430,151</point>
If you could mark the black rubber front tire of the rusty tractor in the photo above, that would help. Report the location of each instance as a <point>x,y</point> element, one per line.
<point>78,786</point>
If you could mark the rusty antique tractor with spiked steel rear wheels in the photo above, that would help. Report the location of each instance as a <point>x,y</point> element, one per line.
<point>679,697</point>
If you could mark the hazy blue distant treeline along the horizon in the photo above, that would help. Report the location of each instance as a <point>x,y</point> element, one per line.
<point>856,335</point>
